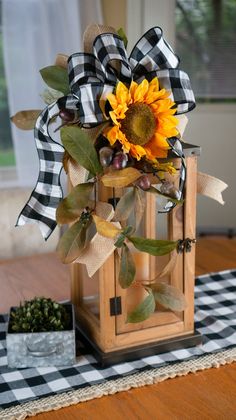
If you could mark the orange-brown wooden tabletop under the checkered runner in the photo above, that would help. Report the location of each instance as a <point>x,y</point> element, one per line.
<point>205,395</point>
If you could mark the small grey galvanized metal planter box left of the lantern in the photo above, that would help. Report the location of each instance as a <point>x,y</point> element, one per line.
<point>53,348</point>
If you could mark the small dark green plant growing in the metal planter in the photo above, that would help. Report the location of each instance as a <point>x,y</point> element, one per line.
<point>39,315</point>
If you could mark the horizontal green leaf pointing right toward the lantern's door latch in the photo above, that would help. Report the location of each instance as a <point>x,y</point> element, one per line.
<point>153,246</point>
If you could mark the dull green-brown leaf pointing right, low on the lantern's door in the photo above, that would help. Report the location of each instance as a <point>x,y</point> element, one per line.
<point>170,297</point>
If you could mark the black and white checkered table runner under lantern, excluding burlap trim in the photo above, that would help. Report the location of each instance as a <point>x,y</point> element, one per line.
<point>215,318</point>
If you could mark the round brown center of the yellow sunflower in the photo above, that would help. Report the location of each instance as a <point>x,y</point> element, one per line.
<point>139,124</point>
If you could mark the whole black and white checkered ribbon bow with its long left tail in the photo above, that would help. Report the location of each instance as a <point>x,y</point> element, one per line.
<point>91,78</point>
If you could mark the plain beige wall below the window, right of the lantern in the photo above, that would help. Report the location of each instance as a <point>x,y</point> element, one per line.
<point>213,128</point>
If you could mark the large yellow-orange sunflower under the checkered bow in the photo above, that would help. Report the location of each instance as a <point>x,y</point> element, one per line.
<point>142,118</point>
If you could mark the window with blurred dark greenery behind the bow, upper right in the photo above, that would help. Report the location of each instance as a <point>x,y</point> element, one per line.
<point>206,43</point>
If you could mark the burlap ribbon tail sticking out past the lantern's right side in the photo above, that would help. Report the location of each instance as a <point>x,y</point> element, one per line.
<point>211,187</point>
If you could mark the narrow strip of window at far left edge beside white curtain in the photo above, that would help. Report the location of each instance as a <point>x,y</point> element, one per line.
<point>7,158</point>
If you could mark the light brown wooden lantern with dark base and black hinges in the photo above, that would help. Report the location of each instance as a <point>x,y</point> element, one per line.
<point>101,305</point>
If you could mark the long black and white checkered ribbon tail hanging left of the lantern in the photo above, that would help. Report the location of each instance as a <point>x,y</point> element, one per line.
<point>42,204</point>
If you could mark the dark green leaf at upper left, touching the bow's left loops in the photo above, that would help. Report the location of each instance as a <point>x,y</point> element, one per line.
<point>57,78</point>
